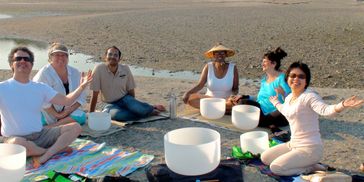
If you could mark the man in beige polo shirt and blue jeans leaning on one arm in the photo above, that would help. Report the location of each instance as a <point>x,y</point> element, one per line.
<point>116,84</point>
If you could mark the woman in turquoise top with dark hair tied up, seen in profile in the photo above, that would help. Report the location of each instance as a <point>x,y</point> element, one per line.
<point>272,82</point>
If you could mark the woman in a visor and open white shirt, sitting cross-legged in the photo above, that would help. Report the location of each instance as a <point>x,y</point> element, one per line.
<point>64,79</point>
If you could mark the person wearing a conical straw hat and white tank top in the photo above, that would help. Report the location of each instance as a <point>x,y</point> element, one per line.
<point>221,77</point>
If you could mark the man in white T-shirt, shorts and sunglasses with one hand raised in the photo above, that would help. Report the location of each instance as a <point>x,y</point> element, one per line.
<point>21,102</point>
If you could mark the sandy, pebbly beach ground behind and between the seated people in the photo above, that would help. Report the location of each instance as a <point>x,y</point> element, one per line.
<point>172,35</point>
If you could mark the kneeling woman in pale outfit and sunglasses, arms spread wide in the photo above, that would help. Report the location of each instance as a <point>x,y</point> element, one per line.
<point>302,109</point>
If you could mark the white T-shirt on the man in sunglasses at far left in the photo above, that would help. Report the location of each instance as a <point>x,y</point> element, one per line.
<point>21,105</point>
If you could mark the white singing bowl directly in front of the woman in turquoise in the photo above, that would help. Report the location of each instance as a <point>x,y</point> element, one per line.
<point>245,117</point>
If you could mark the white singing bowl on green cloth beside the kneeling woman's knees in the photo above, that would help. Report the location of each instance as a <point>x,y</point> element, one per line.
<point>255,142</point>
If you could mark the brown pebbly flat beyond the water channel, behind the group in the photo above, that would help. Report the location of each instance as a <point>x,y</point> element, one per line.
<point>173,36</point>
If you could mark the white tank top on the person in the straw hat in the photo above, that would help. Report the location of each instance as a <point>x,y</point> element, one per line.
<point>220,88</point>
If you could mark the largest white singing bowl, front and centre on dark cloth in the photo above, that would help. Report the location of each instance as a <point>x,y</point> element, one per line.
<point>192,151</point>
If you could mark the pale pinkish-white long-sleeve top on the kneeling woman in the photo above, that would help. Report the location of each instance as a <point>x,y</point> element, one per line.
<point>303,115</point>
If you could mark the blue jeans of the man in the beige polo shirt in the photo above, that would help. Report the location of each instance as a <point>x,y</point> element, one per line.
<point>128,109</point>
